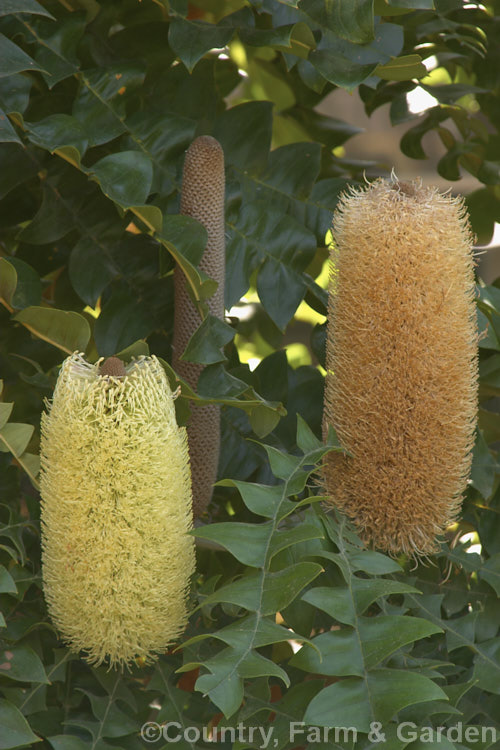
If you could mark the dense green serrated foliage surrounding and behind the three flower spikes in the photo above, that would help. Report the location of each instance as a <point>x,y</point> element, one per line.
<point>99,102</point>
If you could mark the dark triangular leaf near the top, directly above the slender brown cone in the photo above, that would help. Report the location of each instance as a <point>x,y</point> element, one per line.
<point>190,40</point>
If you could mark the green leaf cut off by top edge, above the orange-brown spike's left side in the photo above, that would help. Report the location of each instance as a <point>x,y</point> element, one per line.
<point>352,21</point>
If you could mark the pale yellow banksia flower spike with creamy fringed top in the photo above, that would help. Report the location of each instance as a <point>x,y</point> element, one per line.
<point>116,509</point>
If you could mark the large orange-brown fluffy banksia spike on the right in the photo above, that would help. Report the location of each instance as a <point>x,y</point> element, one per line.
<point>401,384</point>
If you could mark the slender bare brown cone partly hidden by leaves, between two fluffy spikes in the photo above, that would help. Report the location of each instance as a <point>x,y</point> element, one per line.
<point>202,197</point>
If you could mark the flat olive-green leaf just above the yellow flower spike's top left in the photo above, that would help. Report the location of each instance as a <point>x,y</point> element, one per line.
<point>68,331</point>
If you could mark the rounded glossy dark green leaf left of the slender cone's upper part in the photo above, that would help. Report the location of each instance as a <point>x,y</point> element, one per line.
<point>125,177</point>
